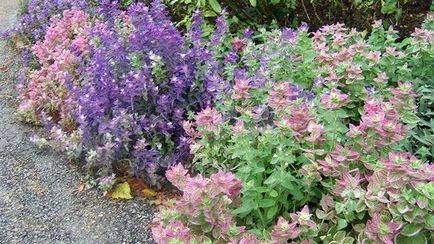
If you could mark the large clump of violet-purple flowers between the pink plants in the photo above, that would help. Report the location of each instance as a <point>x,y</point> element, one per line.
<point>137,87</point>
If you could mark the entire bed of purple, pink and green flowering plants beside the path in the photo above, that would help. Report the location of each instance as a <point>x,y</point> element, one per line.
<point>274,137</point>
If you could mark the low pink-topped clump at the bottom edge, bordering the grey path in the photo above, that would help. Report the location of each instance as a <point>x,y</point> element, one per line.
<point>203,213</point>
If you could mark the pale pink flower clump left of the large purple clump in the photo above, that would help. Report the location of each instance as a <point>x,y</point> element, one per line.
<point>46,95</point>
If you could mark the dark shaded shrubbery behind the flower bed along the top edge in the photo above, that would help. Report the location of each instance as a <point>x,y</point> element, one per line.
<point>284,13</point>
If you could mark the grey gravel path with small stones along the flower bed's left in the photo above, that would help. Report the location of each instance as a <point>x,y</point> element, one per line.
<point>38,198</point>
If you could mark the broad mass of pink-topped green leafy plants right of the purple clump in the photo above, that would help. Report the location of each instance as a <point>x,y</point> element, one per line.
<point>315,128</point>
